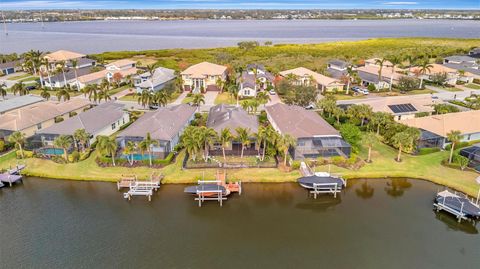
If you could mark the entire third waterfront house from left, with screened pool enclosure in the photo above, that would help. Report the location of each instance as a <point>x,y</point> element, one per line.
<point>165,125</point>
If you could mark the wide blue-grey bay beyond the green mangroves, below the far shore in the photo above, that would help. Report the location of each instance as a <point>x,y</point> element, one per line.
<point>100,36</point>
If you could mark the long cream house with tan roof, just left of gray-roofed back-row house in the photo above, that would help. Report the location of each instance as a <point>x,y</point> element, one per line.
<point>124,68</point>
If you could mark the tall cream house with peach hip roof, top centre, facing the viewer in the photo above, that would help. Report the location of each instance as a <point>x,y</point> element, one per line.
<point>203,77</point>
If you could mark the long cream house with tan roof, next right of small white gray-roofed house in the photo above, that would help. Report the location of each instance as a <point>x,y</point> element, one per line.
<point>305,76</point>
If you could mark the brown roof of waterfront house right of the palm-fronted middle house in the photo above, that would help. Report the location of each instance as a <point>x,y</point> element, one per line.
<point>299,122</point>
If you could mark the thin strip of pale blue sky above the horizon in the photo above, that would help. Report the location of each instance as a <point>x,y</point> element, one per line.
<point>239,4</point>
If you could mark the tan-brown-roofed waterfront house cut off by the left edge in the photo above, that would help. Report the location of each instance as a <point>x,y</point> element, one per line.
<point>35,117</point>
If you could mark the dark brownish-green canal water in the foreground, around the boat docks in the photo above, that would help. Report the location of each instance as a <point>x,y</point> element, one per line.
<point>373,224</point>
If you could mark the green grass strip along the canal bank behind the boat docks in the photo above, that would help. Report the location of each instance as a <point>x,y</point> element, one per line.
<point>423,167</point>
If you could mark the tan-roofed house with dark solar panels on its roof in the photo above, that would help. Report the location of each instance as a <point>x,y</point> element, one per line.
<point>401,107</point>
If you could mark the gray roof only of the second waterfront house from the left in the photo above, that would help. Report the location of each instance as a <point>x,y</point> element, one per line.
<point>92,120</point>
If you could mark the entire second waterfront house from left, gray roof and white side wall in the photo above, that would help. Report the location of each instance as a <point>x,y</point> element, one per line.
<point>104,119</point>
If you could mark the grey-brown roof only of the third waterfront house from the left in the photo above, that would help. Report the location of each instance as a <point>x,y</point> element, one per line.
<point>163,124</point>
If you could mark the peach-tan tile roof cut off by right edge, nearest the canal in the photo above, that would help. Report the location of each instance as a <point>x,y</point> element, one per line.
<point>467,122</point>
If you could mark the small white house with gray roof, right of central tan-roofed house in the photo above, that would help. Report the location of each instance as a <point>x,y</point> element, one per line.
<point>250,83</point>
